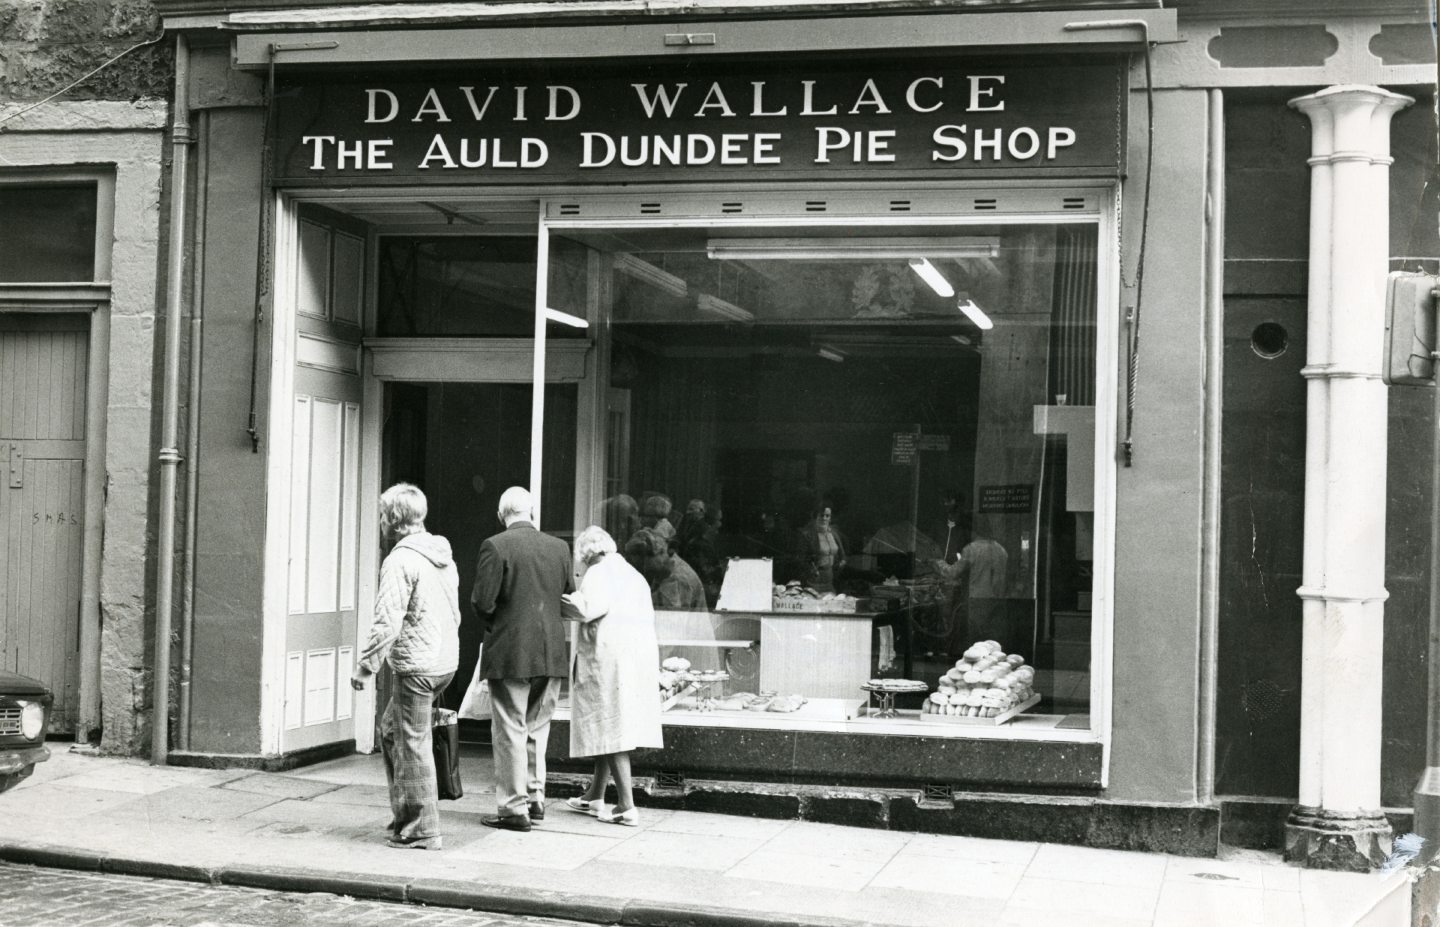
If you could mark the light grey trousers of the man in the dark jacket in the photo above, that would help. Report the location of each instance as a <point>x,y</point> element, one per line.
<point>519,732</point>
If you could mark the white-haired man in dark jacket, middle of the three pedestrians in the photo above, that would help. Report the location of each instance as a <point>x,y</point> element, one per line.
<point>519,582</point>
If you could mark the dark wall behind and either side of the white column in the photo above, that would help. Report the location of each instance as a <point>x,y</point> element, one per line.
<point>1264,456</point>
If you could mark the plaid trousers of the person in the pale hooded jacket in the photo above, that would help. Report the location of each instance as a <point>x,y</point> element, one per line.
<point>410,761</point>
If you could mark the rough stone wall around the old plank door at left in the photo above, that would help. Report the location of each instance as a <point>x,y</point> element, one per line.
<point>113,125</point>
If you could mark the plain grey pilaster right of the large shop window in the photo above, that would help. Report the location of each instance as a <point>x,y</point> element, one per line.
<point>1158,500</point>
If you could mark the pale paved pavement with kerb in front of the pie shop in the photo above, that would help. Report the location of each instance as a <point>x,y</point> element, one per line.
<point>323,830</point>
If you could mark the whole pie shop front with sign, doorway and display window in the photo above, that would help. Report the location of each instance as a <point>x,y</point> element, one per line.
<point>834,348</point>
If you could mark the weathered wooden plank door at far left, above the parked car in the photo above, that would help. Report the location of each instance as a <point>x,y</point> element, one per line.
<point>42,502</point>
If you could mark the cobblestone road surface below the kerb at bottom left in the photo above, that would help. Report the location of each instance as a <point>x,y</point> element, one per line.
<point>41,897</point>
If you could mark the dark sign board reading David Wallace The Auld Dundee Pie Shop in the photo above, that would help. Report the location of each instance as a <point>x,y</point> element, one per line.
<point>498,125</point>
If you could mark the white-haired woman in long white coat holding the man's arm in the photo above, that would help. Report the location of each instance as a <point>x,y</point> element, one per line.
<point>614,676</point>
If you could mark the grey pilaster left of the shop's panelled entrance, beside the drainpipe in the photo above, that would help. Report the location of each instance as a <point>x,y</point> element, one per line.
<point>231,536</point>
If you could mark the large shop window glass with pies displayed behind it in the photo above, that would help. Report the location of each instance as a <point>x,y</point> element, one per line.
<point>853,458</point>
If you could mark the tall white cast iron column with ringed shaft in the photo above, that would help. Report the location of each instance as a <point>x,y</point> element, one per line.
<point>1338,824</point>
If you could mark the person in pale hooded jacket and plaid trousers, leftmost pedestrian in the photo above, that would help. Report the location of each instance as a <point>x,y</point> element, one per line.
<point>417,630</point>
